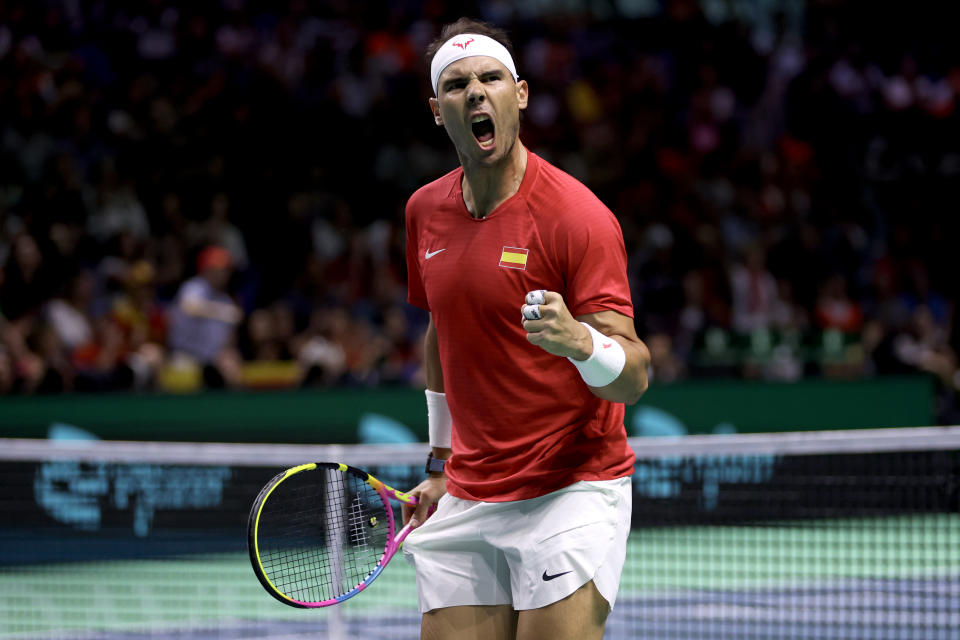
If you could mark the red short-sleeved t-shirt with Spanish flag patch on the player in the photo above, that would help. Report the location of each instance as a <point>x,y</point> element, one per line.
<point>524,422</point>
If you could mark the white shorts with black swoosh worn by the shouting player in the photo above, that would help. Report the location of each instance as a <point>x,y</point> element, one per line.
<point>526,553</point>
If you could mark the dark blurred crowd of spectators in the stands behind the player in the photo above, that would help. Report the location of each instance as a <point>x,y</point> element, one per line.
<point>781,171</point>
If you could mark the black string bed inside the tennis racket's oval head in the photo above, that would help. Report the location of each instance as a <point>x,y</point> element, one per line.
<point>321,534</point>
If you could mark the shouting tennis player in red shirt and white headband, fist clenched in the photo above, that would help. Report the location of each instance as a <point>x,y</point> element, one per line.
<point>530,354</point>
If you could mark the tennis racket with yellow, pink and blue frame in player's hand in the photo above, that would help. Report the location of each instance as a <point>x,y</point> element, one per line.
<point>320,533</point>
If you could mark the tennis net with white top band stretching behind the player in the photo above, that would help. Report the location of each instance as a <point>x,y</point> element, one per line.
<point>820,535</point>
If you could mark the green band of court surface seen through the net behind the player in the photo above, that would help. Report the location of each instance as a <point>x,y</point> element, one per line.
<point>189,592</point>
